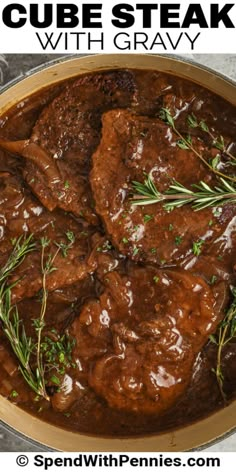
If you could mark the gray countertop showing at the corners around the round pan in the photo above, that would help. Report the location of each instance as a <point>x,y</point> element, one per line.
<point>13,65</point>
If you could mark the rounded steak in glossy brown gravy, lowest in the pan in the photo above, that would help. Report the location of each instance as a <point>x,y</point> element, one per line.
<point>138,342</point>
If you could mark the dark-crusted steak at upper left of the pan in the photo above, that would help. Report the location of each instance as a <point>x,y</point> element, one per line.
<point>64,137</point>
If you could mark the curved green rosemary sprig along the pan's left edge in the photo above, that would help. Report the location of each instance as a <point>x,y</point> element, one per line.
<point>21,345</point>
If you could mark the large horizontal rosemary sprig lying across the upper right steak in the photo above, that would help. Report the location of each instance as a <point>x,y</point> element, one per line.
<point>177,195</point>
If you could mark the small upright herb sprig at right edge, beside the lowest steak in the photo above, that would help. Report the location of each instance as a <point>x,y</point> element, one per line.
<point>226,332</point>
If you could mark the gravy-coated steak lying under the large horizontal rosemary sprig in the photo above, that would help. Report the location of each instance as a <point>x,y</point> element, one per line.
<point>131,147</point>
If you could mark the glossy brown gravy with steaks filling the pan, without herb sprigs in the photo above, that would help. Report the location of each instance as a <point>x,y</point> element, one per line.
<point>137,302</point>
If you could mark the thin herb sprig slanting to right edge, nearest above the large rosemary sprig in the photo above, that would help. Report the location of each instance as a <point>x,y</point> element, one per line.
<point>186,143</point>
